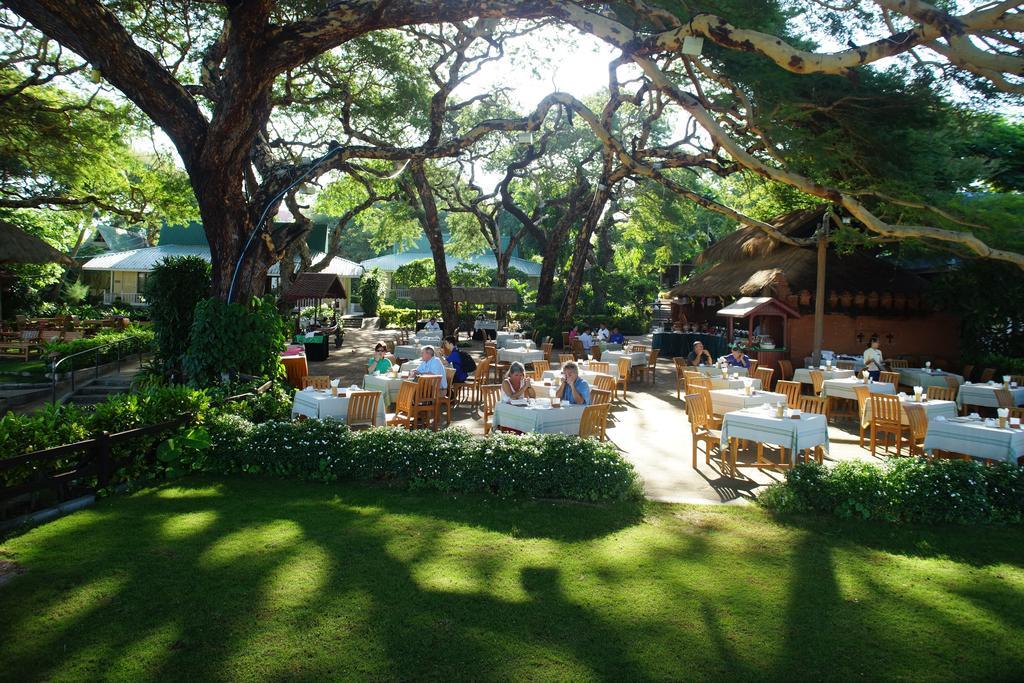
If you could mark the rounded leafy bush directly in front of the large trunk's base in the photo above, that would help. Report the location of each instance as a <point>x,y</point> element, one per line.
<point>230,338</point>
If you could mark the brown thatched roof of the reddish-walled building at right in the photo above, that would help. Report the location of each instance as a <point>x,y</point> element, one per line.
<point>748,263</point>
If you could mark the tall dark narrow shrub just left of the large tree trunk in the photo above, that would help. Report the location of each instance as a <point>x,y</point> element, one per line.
<point>174,289</point>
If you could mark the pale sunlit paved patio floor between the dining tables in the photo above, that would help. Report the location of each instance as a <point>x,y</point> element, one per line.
<point>651,430</point>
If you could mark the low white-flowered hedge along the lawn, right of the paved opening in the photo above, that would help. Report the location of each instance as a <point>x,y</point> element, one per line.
<point>905,490</point>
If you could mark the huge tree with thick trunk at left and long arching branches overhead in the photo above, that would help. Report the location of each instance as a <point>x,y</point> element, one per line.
<point>206,74</point>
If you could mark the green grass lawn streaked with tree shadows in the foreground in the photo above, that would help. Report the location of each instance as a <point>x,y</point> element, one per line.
<point>268,580</point>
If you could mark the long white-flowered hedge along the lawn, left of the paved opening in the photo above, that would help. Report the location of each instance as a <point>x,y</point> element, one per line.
<point>538,465</point>
